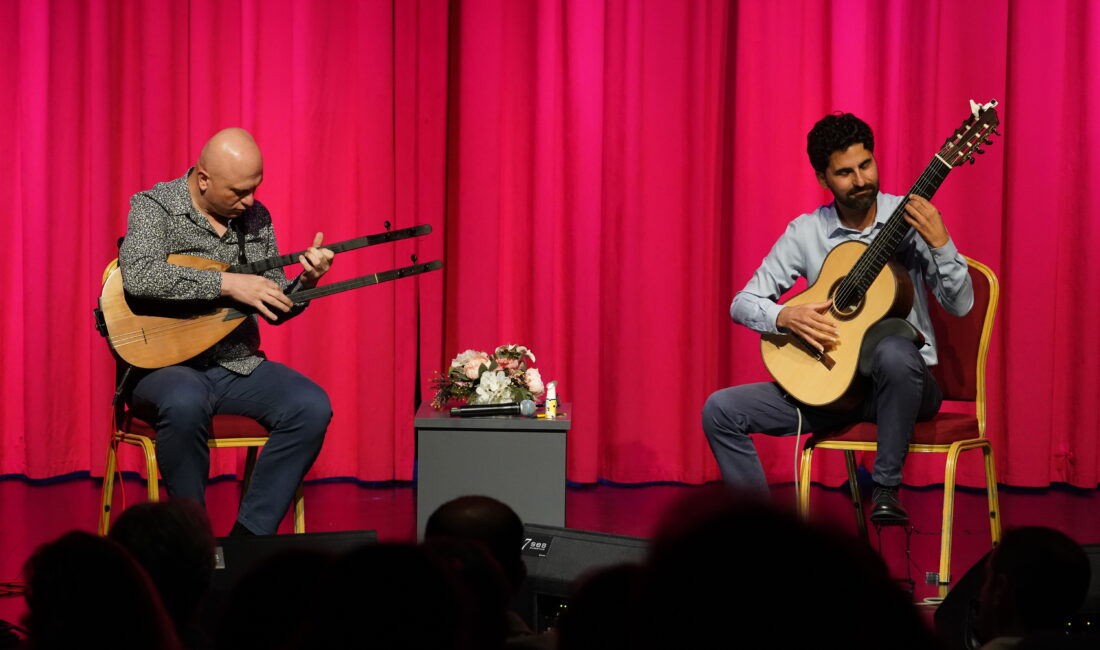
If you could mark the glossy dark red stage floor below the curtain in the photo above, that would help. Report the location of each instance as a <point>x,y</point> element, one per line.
<point>32,513</point>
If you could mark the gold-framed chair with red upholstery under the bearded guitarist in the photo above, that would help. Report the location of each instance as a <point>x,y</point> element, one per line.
<point>963,347</point>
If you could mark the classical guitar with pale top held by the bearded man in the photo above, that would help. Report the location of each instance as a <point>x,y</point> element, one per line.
<point>866,287</point>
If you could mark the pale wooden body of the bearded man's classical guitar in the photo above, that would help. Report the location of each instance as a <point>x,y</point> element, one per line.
<point>832,379</point>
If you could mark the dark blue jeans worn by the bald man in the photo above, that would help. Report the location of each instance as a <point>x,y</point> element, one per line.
<point>179,402</point>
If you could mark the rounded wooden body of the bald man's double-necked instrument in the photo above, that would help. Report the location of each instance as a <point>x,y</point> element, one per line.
<point>151,334</point>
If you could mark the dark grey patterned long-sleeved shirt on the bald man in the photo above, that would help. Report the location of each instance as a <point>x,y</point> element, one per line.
<point>163,222</point>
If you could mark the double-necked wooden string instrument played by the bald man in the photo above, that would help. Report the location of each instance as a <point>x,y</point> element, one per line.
<point>156,334</point>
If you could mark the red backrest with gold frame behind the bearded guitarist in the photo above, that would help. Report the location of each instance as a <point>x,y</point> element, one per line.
<point>963,344</point>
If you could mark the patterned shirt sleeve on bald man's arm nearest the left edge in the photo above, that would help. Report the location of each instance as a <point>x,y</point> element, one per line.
<point>144,259</point>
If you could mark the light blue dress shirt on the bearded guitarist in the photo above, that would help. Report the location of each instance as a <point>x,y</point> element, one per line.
<point>802,249</point>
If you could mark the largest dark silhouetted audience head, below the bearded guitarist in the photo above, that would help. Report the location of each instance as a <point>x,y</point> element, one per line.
<point>727,568</point>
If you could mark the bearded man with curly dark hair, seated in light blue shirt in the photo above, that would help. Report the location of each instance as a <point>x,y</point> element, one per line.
<point>904,391</point>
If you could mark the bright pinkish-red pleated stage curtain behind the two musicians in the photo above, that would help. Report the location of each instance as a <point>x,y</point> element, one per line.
<point>602,179</point>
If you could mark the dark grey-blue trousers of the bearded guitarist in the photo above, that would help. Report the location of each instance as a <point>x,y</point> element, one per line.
<point>904,392</point>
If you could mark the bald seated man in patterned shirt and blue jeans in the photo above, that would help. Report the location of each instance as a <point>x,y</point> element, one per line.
<point>212,213</point>
